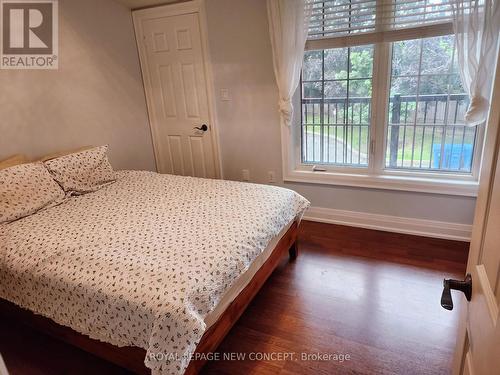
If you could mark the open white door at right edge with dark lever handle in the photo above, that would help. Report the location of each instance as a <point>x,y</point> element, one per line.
<point>478,349</point>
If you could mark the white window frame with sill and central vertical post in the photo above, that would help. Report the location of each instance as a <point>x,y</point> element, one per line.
<point>376,175</point>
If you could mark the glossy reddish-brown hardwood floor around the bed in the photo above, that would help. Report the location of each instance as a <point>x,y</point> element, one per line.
<point>371,295</point>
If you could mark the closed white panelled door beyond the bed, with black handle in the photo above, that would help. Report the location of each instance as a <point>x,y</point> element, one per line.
<point>176,86</point>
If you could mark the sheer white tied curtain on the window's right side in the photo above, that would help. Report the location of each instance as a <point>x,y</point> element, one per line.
<point>477,25</point>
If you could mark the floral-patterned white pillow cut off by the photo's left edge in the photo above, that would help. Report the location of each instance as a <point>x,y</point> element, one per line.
<point>25,189</point>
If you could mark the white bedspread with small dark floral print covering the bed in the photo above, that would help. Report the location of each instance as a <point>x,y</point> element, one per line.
<point>142,262</point>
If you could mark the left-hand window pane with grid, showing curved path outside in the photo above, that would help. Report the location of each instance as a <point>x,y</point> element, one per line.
<point>336,106</point>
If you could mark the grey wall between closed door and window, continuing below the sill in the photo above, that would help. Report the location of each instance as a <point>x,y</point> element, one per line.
<point>240,50</point>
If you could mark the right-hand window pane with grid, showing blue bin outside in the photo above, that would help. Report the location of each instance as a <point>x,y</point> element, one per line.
<point>426,129</point>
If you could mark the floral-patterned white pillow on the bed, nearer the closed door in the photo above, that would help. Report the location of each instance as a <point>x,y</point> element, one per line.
<point>82,172</point>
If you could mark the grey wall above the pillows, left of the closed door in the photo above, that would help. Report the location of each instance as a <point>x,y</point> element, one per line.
<point>96,96</point>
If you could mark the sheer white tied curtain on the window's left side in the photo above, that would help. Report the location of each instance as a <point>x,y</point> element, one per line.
<point>288,25</point>
